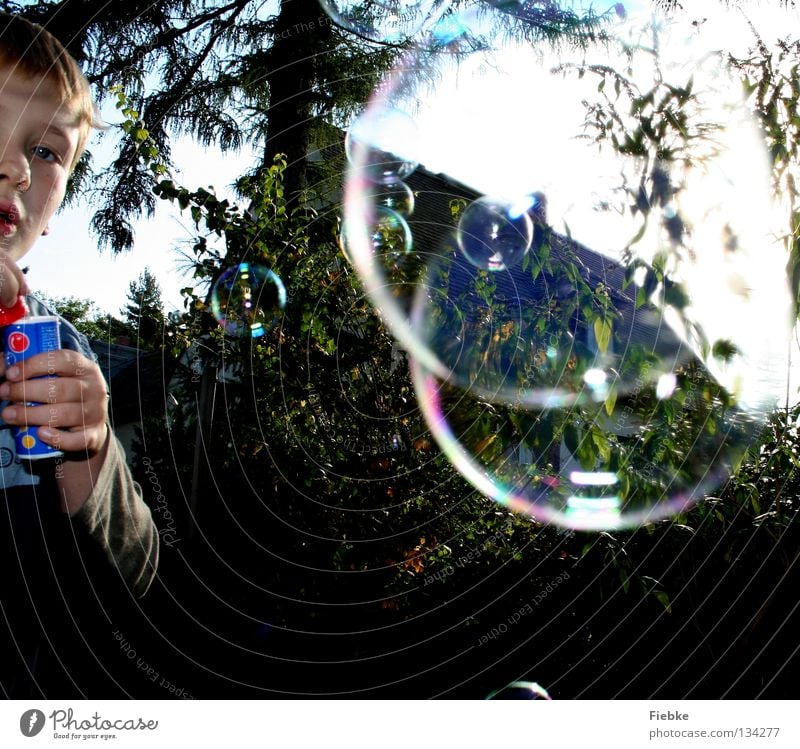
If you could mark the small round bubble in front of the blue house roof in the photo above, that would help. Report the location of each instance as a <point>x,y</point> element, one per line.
<point>493,234</point>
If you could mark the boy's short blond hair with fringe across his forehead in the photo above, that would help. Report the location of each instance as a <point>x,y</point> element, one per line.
<point>34,51</point>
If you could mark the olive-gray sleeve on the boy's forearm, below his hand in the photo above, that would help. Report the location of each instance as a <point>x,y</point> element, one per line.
<point>117,518</point>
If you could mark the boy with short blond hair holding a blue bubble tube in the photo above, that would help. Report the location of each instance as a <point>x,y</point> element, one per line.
<point>73,528</point>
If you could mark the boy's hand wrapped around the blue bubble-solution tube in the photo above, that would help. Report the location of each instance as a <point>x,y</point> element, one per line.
<point>76,400</point>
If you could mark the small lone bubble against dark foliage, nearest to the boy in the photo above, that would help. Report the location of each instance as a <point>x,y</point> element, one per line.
<point>247,299</point>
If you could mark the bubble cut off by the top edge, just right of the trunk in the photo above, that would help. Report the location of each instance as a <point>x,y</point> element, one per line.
<point>388,21</point>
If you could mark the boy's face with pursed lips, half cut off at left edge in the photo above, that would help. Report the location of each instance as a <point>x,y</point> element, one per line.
<point>38,139</point>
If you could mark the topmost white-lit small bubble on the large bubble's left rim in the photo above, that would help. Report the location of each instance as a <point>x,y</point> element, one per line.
<point>379,142</point>
